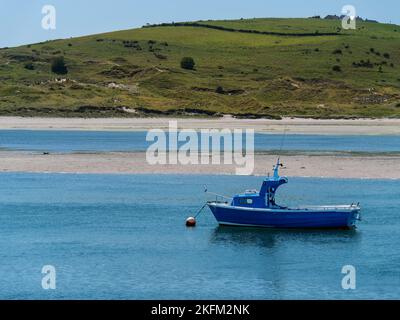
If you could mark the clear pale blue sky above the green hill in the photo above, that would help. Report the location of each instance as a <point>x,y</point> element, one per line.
<point>20,20</point>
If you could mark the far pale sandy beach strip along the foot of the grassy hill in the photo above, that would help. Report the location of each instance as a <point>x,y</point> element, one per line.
<point>384,126</point>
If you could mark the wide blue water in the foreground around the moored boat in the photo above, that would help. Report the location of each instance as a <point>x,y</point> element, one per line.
<point>123,237</point>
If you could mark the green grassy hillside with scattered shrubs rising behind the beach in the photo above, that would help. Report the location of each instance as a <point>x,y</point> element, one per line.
<point>255,67</point>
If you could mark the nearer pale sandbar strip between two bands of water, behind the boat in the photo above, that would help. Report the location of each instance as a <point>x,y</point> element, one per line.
<point>334,166</point>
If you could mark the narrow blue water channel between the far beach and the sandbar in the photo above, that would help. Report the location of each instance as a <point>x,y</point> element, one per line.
<point>103,141</point>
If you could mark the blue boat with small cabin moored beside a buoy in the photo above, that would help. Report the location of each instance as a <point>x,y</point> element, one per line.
<point>258,209</point>
